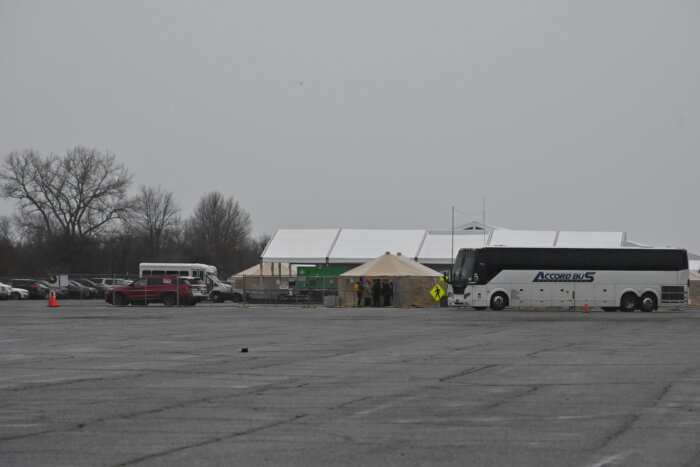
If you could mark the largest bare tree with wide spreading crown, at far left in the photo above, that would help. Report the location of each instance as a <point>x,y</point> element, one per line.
<point>74,197</point>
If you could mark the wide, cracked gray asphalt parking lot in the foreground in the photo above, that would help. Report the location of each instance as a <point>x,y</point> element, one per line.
<point>96,385</point>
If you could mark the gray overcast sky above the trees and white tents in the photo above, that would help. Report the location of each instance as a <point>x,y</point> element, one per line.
<point>581,115</point>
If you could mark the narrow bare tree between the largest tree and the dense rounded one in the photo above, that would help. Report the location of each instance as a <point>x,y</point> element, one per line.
<point>155,213</point>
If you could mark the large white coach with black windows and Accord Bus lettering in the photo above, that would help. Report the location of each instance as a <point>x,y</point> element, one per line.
<point>613,279</point>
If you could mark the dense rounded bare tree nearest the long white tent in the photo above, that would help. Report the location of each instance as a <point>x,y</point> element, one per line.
<point>220,230</point>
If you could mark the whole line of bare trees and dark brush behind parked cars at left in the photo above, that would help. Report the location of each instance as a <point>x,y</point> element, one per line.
<point>75,215</point>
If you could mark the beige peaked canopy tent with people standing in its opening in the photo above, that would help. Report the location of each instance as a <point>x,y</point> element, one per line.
<point>412,281</point>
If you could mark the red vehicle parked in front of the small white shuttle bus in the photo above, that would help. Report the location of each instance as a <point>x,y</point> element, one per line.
<point>168,290</point>
